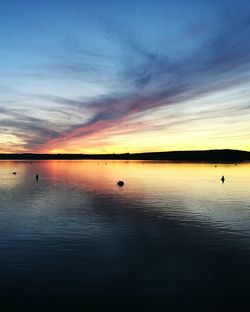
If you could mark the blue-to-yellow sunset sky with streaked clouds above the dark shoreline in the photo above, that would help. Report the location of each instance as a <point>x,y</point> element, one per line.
<point>117,76</point>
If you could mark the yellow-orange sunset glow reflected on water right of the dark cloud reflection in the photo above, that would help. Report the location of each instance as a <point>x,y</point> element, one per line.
<point>177,190</point>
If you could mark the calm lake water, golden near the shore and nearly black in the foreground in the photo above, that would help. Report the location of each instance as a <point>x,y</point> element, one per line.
<point>174,238</point>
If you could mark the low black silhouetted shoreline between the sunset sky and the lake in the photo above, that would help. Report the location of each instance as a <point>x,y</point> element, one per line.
<point>225,155</point>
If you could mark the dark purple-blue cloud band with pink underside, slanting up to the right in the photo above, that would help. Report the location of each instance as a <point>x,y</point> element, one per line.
<point>157,81</point>
